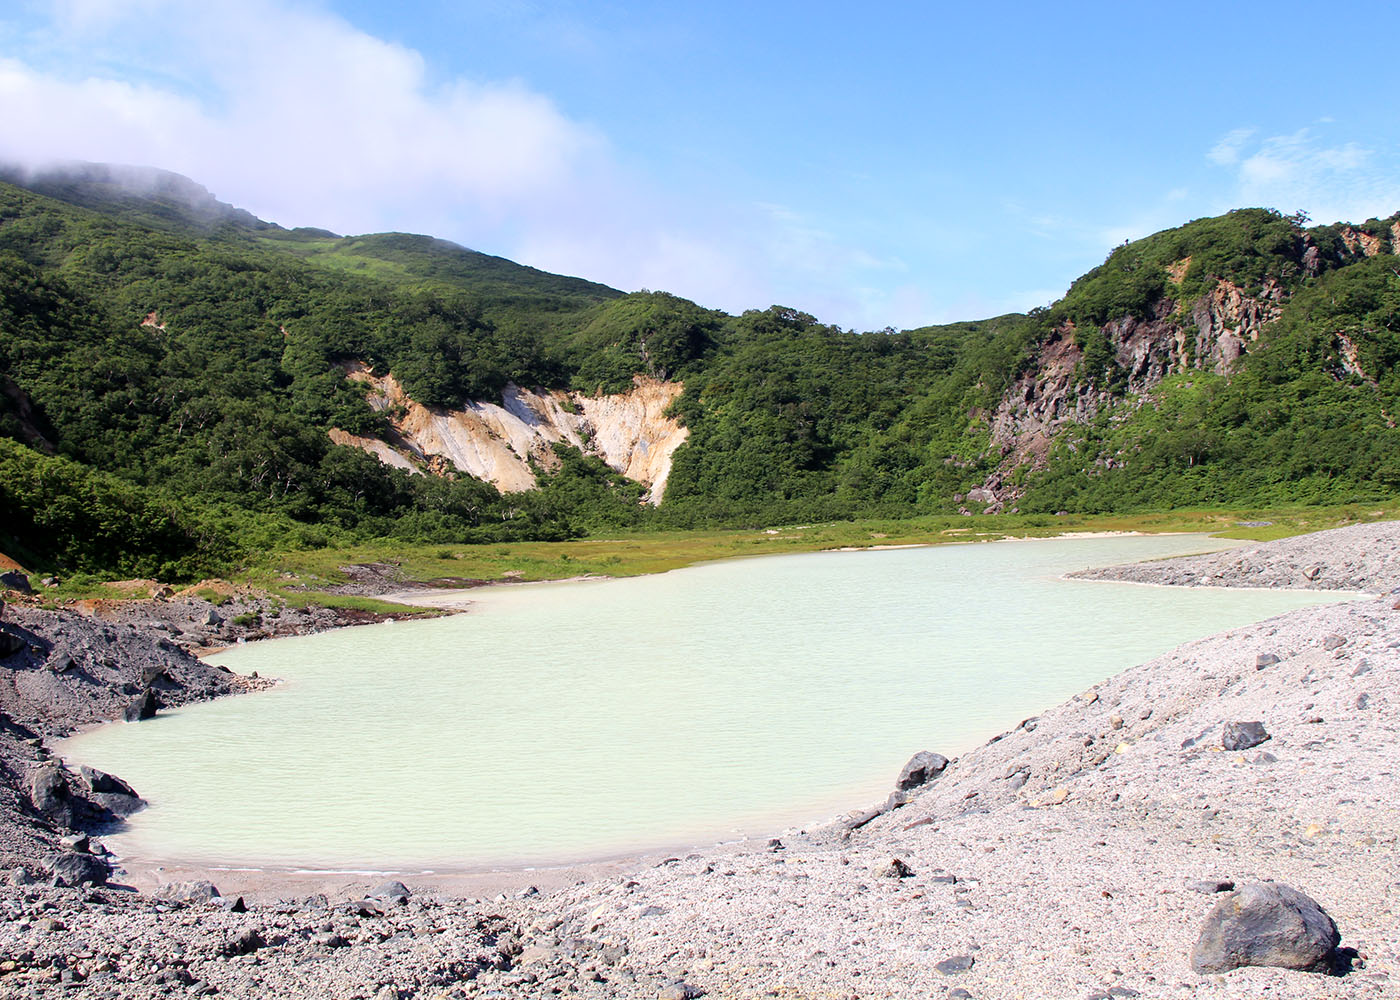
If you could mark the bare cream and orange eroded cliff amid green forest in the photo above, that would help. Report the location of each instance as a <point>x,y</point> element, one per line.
<point>498,442</point>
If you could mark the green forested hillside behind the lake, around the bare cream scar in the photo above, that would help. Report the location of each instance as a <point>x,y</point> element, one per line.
<point>171,370</point>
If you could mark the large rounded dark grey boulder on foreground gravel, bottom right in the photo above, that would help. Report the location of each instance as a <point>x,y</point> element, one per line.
<point>1266,924</point>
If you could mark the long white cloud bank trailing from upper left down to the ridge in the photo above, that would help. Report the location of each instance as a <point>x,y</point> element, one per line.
<point>295,114</point>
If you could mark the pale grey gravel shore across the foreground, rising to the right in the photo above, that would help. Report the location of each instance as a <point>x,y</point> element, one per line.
<point>1055,862</point>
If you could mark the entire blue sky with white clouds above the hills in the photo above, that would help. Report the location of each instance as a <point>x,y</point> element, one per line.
<point>918,163</point>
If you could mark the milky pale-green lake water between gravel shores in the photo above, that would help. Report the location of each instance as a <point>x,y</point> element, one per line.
<point>563,722</point>
